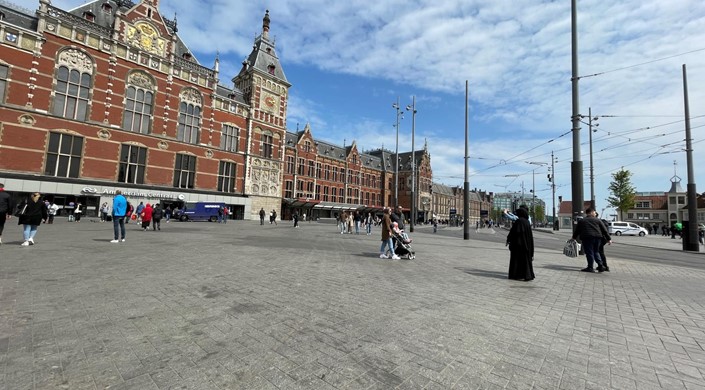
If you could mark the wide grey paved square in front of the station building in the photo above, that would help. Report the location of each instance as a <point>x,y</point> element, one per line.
<point>244,306</point>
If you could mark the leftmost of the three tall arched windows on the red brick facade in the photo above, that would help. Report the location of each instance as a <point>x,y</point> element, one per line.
<point>73,84</point>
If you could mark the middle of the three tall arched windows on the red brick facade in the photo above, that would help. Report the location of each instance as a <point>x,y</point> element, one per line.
<point>139,103</point>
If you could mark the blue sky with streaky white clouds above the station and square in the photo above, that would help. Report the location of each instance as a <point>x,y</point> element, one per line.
<point>349,61</point>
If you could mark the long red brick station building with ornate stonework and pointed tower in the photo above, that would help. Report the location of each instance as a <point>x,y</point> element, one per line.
<point>108,97</point>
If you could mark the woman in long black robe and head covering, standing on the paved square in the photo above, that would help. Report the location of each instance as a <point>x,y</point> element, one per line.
<point>521,248</point>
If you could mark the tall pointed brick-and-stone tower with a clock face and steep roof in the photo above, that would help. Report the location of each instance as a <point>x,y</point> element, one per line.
<point>266,89</point>
